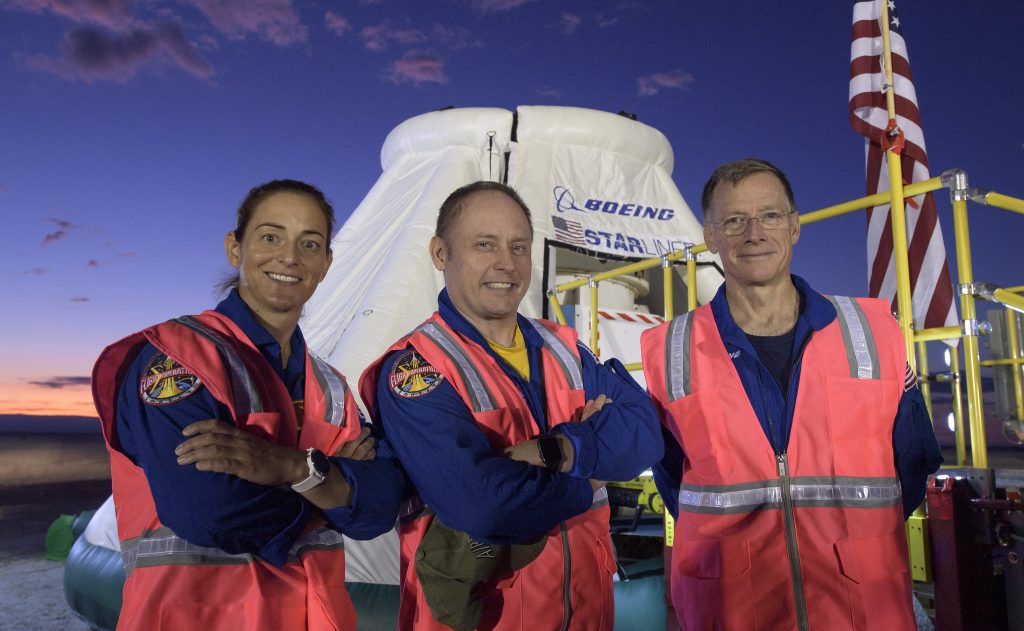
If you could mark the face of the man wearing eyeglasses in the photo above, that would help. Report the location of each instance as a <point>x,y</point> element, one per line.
<point>758,257</point>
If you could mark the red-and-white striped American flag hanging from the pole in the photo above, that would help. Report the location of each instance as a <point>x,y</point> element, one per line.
<point>930,284</point>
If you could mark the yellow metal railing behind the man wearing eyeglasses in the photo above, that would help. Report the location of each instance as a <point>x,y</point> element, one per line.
<point>968,331</point>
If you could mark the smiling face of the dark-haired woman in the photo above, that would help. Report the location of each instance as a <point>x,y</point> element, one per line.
<point>282,258</point>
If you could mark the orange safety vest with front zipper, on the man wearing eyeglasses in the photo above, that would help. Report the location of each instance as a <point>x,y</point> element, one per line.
<point>809,539</point>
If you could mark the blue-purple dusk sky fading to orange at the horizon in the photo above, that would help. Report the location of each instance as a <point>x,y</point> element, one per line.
<point>131,131</point>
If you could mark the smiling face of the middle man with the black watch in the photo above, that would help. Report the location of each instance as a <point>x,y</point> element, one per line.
<point>487,262</point>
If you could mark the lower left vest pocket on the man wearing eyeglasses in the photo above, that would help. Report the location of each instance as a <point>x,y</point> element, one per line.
<point>711,588</point>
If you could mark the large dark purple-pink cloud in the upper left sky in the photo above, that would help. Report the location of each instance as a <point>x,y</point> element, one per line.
<point>90,55</point>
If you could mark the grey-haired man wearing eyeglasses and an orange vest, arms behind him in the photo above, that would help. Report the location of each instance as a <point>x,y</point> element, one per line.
<point>796,439</point>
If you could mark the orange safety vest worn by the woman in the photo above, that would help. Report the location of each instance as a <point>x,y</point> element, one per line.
<point>174,584</point>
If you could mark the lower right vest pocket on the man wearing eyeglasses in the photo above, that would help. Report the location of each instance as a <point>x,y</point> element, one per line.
<point>877,581</point>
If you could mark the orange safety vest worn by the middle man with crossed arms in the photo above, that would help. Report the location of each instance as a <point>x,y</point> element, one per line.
<point>569,586</point>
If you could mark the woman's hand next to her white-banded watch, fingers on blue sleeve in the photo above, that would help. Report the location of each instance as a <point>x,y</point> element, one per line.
<point>216,446</point>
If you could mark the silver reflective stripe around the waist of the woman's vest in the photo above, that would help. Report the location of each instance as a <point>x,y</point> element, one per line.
<point>163,548</point>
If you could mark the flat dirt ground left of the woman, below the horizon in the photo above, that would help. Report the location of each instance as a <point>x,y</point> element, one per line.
<point>44,477</point>
